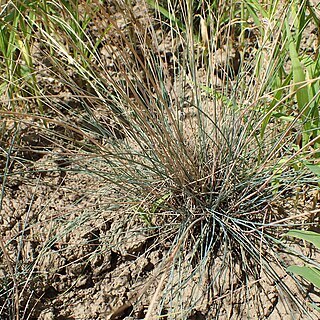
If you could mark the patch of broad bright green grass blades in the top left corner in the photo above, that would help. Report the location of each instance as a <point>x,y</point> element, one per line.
<point>16,43</point>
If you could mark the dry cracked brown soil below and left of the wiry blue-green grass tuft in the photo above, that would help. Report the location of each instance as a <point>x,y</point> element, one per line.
<point>81,258</point>
